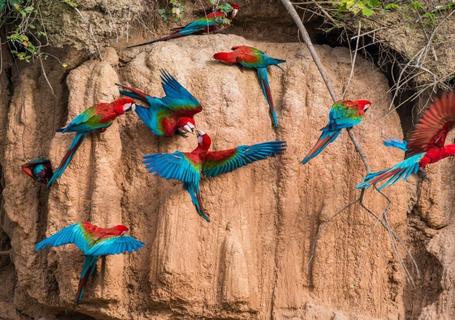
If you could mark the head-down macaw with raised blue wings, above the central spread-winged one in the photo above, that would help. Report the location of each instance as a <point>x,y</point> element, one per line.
<point>169,115</point>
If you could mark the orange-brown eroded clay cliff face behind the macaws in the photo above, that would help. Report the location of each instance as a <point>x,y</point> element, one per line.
<point>278,246</point>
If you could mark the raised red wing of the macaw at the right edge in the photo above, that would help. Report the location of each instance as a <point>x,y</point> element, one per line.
<point>432,129</point>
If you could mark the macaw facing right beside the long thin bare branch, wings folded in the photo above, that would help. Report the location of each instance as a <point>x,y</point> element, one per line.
<point>343,115</point>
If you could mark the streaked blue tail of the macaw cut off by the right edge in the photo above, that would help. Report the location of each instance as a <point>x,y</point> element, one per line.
<point>400,171</point>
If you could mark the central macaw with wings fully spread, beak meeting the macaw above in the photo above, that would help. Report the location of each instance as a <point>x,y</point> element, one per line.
<point>188,167</point>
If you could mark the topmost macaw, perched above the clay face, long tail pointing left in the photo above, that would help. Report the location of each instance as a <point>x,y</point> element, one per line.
<point>213,22</point>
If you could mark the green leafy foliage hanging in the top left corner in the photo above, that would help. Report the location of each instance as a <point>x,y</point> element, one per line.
<point>25,31</point>
